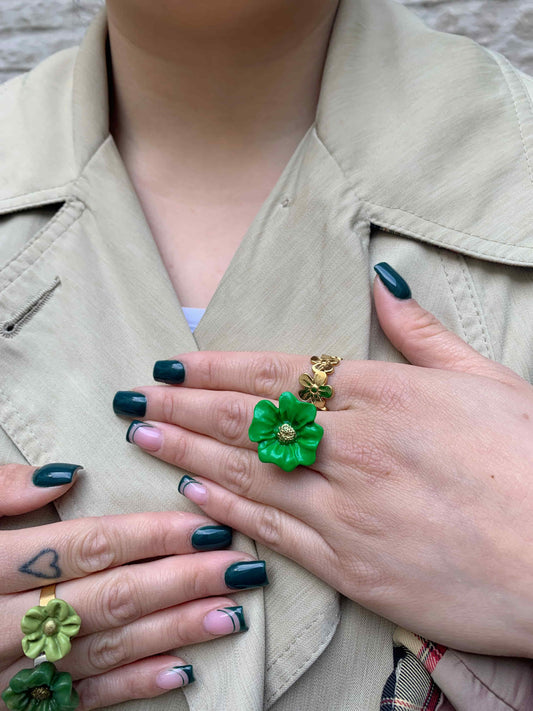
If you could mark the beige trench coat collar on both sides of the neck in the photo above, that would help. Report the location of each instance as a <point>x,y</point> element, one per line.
<point>433,132</point>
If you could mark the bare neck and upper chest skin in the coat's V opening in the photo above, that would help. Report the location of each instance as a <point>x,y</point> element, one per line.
<point>209,102</point>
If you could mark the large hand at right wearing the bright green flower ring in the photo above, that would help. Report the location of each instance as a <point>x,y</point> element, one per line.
<point>420,503</point>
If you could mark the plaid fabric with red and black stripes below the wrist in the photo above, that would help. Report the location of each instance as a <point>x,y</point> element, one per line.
<point>410,686</point>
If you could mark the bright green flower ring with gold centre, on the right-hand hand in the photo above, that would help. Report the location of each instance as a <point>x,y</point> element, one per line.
<point>287,435</point>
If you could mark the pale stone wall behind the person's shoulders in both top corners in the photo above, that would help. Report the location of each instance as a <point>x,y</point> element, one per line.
<point>30,30</point>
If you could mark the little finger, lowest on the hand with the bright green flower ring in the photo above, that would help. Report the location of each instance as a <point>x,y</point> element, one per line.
<point>271,527</point>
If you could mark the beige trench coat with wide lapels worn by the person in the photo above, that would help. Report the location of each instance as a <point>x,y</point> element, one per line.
<point>421,155</point>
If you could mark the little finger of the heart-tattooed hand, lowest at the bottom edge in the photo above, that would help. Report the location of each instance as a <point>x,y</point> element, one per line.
<point>140,680</point>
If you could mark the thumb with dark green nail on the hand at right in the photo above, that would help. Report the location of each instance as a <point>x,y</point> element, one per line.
<point>421,338</point>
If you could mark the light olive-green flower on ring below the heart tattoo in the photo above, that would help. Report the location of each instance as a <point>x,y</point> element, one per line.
<point>48,630</point>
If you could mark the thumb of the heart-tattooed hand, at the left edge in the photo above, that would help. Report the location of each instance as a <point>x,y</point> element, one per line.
<point>26,488</point>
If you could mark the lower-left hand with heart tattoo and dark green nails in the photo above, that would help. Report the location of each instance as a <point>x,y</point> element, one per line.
<point>130,612</point>
